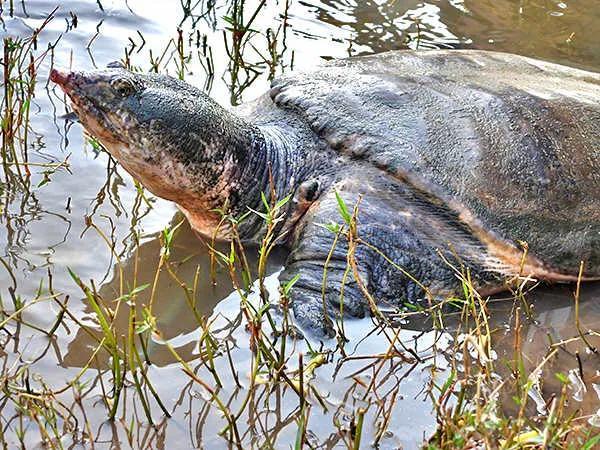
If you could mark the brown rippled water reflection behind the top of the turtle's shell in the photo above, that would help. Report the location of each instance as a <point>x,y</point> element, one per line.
<point>559,31</point>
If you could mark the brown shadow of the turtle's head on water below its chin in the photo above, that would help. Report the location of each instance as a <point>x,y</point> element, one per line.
<point>190,263</point>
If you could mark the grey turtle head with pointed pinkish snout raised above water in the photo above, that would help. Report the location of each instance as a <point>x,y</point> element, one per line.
<point>169,135</point>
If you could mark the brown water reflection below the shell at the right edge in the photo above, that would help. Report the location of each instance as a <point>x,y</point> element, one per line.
<point>552,326</point>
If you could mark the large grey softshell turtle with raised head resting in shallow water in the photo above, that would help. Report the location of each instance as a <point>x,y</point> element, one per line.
<point>453,157</point>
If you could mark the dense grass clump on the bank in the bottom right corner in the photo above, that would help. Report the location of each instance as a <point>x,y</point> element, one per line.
<point>476,416</point>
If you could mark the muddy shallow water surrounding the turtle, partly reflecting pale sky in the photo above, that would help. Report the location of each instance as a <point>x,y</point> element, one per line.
<point>45,228</point>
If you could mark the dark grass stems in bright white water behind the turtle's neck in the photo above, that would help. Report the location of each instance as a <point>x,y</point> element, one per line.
<point>251,51</point>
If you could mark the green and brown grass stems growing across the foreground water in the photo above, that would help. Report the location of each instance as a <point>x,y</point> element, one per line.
<point>467,403</point>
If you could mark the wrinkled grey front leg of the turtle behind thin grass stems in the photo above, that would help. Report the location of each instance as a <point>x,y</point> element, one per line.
<point>395,258</point>
